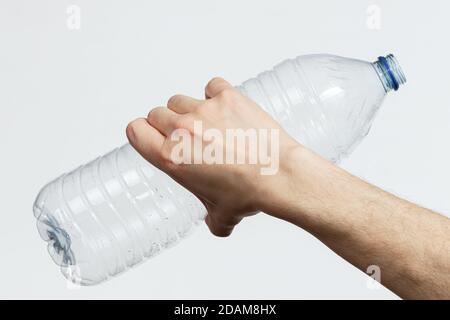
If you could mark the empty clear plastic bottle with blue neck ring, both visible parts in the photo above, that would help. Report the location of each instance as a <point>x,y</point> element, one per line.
<point>117,210</point>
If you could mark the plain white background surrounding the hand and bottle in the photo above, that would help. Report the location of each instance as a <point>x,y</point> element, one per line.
<point>67,95</point>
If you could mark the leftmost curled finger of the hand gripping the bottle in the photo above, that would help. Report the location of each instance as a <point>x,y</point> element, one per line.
<point>146,140</point>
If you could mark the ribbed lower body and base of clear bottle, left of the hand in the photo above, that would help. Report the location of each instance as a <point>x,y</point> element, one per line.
<point>111,214</point>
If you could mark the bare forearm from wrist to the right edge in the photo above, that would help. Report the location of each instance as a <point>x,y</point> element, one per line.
<point>367,226</point>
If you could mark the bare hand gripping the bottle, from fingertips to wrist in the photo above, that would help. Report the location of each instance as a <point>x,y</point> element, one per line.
<point>229,191</point>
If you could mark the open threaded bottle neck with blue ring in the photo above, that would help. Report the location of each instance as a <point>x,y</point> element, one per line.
<point>389,72</point>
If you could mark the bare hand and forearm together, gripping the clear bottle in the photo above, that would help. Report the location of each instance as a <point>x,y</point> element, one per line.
<point>360,222</point>
